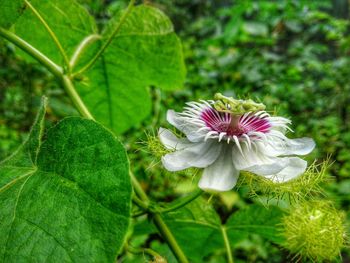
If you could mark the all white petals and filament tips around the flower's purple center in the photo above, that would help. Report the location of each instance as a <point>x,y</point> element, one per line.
<point>269,154</point>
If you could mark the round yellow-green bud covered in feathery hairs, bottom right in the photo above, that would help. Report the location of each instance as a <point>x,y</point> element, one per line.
<point>314,230</point>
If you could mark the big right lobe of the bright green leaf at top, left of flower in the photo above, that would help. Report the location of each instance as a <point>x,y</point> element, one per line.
<point>145,52</point>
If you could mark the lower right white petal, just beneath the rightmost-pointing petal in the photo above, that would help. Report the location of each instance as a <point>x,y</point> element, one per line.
<point>295,168</point>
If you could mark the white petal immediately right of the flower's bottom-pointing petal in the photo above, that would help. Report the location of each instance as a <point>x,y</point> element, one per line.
<point>251,156</point>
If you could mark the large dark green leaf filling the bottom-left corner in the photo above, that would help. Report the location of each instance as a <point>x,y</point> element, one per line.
<point>67,198</point>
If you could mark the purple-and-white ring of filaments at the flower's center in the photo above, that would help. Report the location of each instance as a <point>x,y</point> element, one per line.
<point>234,125</point>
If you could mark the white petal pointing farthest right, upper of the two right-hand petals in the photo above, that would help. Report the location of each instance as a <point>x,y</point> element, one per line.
<point>301,146</point>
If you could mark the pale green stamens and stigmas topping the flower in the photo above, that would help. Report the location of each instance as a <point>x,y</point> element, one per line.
<point>236,107</point>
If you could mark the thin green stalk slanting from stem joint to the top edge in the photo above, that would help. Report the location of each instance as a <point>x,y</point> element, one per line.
<point>109,40</point>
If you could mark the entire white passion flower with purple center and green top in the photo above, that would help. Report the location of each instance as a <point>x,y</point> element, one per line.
<point>225,135</point>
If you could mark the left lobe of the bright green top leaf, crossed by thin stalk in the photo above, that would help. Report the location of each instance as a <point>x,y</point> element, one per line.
<point>68,20</point>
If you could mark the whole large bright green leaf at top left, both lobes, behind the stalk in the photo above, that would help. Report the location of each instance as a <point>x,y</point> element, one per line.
<point>145,52</point>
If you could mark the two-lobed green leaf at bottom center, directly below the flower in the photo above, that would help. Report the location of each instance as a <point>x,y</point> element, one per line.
<point>199,220</point>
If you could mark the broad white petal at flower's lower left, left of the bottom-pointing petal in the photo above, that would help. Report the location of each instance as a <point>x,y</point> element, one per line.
<point>198,155</point>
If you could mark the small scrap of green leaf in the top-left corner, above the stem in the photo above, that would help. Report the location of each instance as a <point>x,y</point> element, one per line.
<point>10,11</point>
